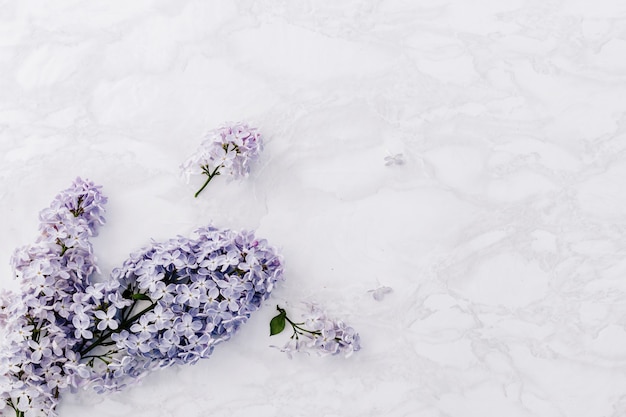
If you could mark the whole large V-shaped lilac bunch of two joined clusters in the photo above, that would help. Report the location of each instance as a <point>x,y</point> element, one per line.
<point>169,303</point>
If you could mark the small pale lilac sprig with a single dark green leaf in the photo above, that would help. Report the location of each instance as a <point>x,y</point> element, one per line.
<point>322,334</point>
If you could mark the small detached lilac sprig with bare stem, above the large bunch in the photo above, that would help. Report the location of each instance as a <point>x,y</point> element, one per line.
<point>229,150</point>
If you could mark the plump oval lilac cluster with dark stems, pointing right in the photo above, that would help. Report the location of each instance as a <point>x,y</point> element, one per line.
<point>175,301</point>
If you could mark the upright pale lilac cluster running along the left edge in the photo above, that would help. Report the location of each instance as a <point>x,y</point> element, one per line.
<point>37,359</point>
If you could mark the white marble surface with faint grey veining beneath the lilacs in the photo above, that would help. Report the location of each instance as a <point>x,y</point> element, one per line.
<point>503,235</point>
